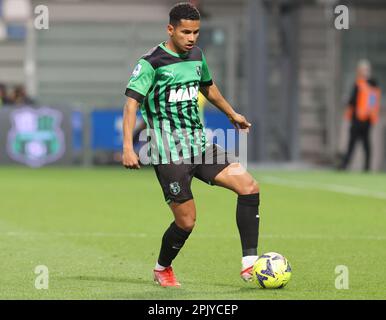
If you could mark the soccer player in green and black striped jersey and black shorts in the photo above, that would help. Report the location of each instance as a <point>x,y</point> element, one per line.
<point>165,85</point>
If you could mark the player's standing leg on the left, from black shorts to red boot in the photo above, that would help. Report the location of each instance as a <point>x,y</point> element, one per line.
<point>175,181</point>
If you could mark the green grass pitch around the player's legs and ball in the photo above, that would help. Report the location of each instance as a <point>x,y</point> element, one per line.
<point>99,230</point>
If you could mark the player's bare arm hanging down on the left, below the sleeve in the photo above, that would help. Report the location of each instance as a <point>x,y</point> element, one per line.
<point>129,157</point>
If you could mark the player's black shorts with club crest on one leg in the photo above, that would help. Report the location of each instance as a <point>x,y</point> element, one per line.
<point>175,179</point>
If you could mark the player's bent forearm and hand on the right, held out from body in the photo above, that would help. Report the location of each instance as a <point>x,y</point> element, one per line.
<point>213,94</point>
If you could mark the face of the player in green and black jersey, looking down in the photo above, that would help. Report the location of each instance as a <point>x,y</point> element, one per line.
<point>185,34</point>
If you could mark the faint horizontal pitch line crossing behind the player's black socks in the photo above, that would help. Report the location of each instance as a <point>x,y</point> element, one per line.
<point>203,236</point>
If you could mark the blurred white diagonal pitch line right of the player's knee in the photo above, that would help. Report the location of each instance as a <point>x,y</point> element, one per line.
<point>325,187</point>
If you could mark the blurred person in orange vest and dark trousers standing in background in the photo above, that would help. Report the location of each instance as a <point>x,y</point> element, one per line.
<point>362,112</point>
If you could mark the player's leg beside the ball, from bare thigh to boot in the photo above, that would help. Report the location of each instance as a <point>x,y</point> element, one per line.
<point>236,178</point>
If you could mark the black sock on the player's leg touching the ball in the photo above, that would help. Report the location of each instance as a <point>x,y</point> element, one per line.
<point>247,217</point>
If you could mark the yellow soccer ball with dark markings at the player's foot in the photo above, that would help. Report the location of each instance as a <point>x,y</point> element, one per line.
<point>271,270</point>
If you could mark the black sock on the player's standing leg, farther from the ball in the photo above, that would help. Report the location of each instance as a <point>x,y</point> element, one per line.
<point>172,242</point>
